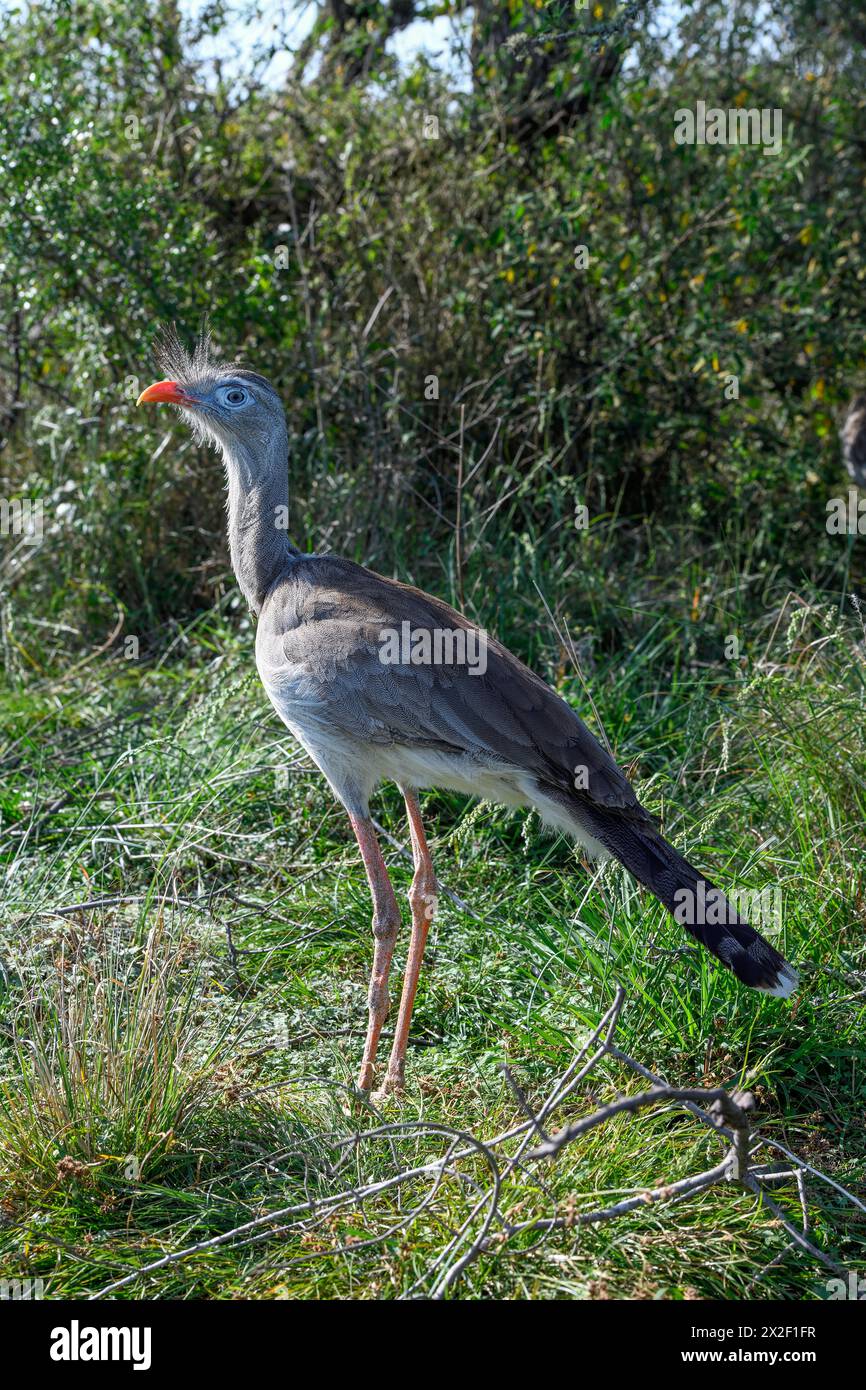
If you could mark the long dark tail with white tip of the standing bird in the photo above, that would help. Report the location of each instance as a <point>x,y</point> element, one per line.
<point>694,903</point>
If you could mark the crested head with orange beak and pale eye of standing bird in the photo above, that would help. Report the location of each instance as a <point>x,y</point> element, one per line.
<point>224,404</point>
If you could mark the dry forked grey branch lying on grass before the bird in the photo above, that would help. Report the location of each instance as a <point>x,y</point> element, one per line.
<point>473,1166</point>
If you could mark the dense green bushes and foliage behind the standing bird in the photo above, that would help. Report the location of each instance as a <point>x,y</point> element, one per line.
<point>359,229</point>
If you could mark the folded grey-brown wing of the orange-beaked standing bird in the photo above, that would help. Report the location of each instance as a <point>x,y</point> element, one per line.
<point>323,636</point>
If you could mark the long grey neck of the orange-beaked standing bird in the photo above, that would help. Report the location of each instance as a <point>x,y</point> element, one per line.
<point>258,515</point>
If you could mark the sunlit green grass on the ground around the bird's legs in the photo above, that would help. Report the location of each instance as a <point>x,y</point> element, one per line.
<point>180,1063</point>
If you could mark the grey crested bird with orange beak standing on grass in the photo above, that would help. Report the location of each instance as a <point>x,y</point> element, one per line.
<point>382,682</point>
